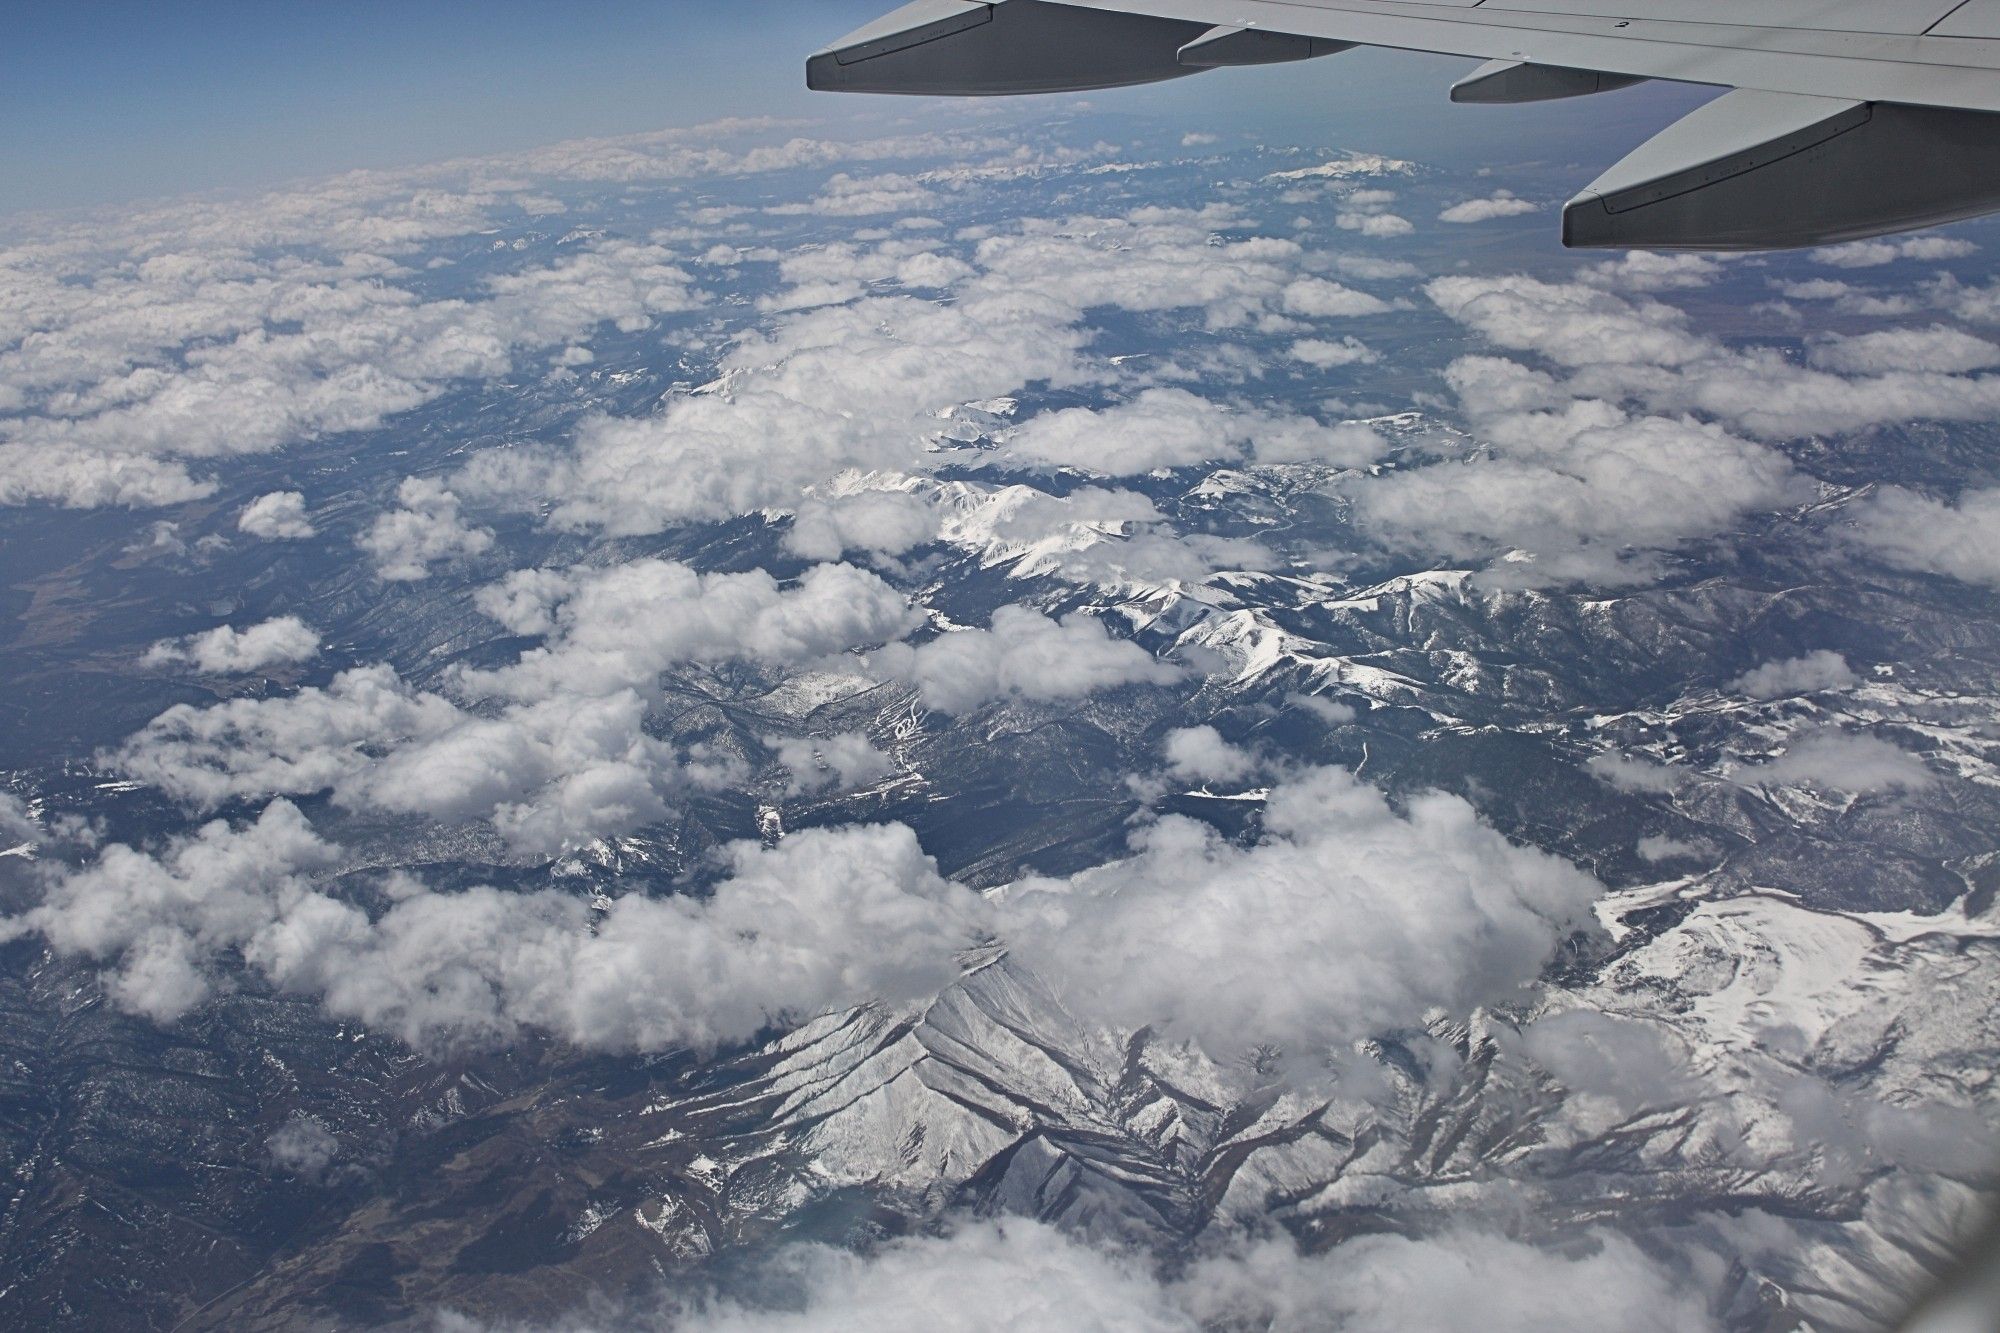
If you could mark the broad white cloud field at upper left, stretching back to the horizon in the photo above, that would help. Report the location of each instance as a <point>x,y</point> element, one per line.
<point>201,329</point>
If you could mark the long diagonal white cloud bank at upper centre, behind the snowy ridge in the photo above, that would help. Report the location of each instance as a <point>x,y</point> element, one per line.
<point>859,385</point>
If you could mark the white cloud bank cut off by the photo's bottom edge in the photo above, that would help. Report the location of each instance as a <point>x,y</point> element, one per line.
<point>1021,1276</point>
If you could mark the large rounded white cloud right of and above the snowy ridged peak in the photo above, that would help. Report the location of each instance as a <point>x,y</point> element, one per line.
<point>1373,918</point>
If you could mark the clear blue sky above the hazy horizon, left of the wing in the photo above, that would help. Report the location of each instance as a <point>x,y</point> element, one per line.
<point>117,99</point>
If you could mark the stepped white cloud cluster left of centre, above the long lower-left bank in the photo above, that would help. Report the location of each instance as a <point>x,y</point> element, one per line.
<point>561,754</point>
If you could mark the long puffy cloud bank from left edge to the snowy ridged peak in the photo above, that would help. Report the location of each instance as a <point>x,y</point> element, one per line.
<point>825,920</point>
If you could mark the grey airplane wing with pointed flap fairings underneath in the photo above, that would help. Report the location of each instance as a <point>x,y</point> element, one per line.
<point>1843,119</point>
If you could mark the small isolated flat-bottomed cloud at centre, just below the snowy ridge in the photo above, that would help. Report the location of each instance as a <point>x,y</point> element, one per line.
<point>1025,655</point>
